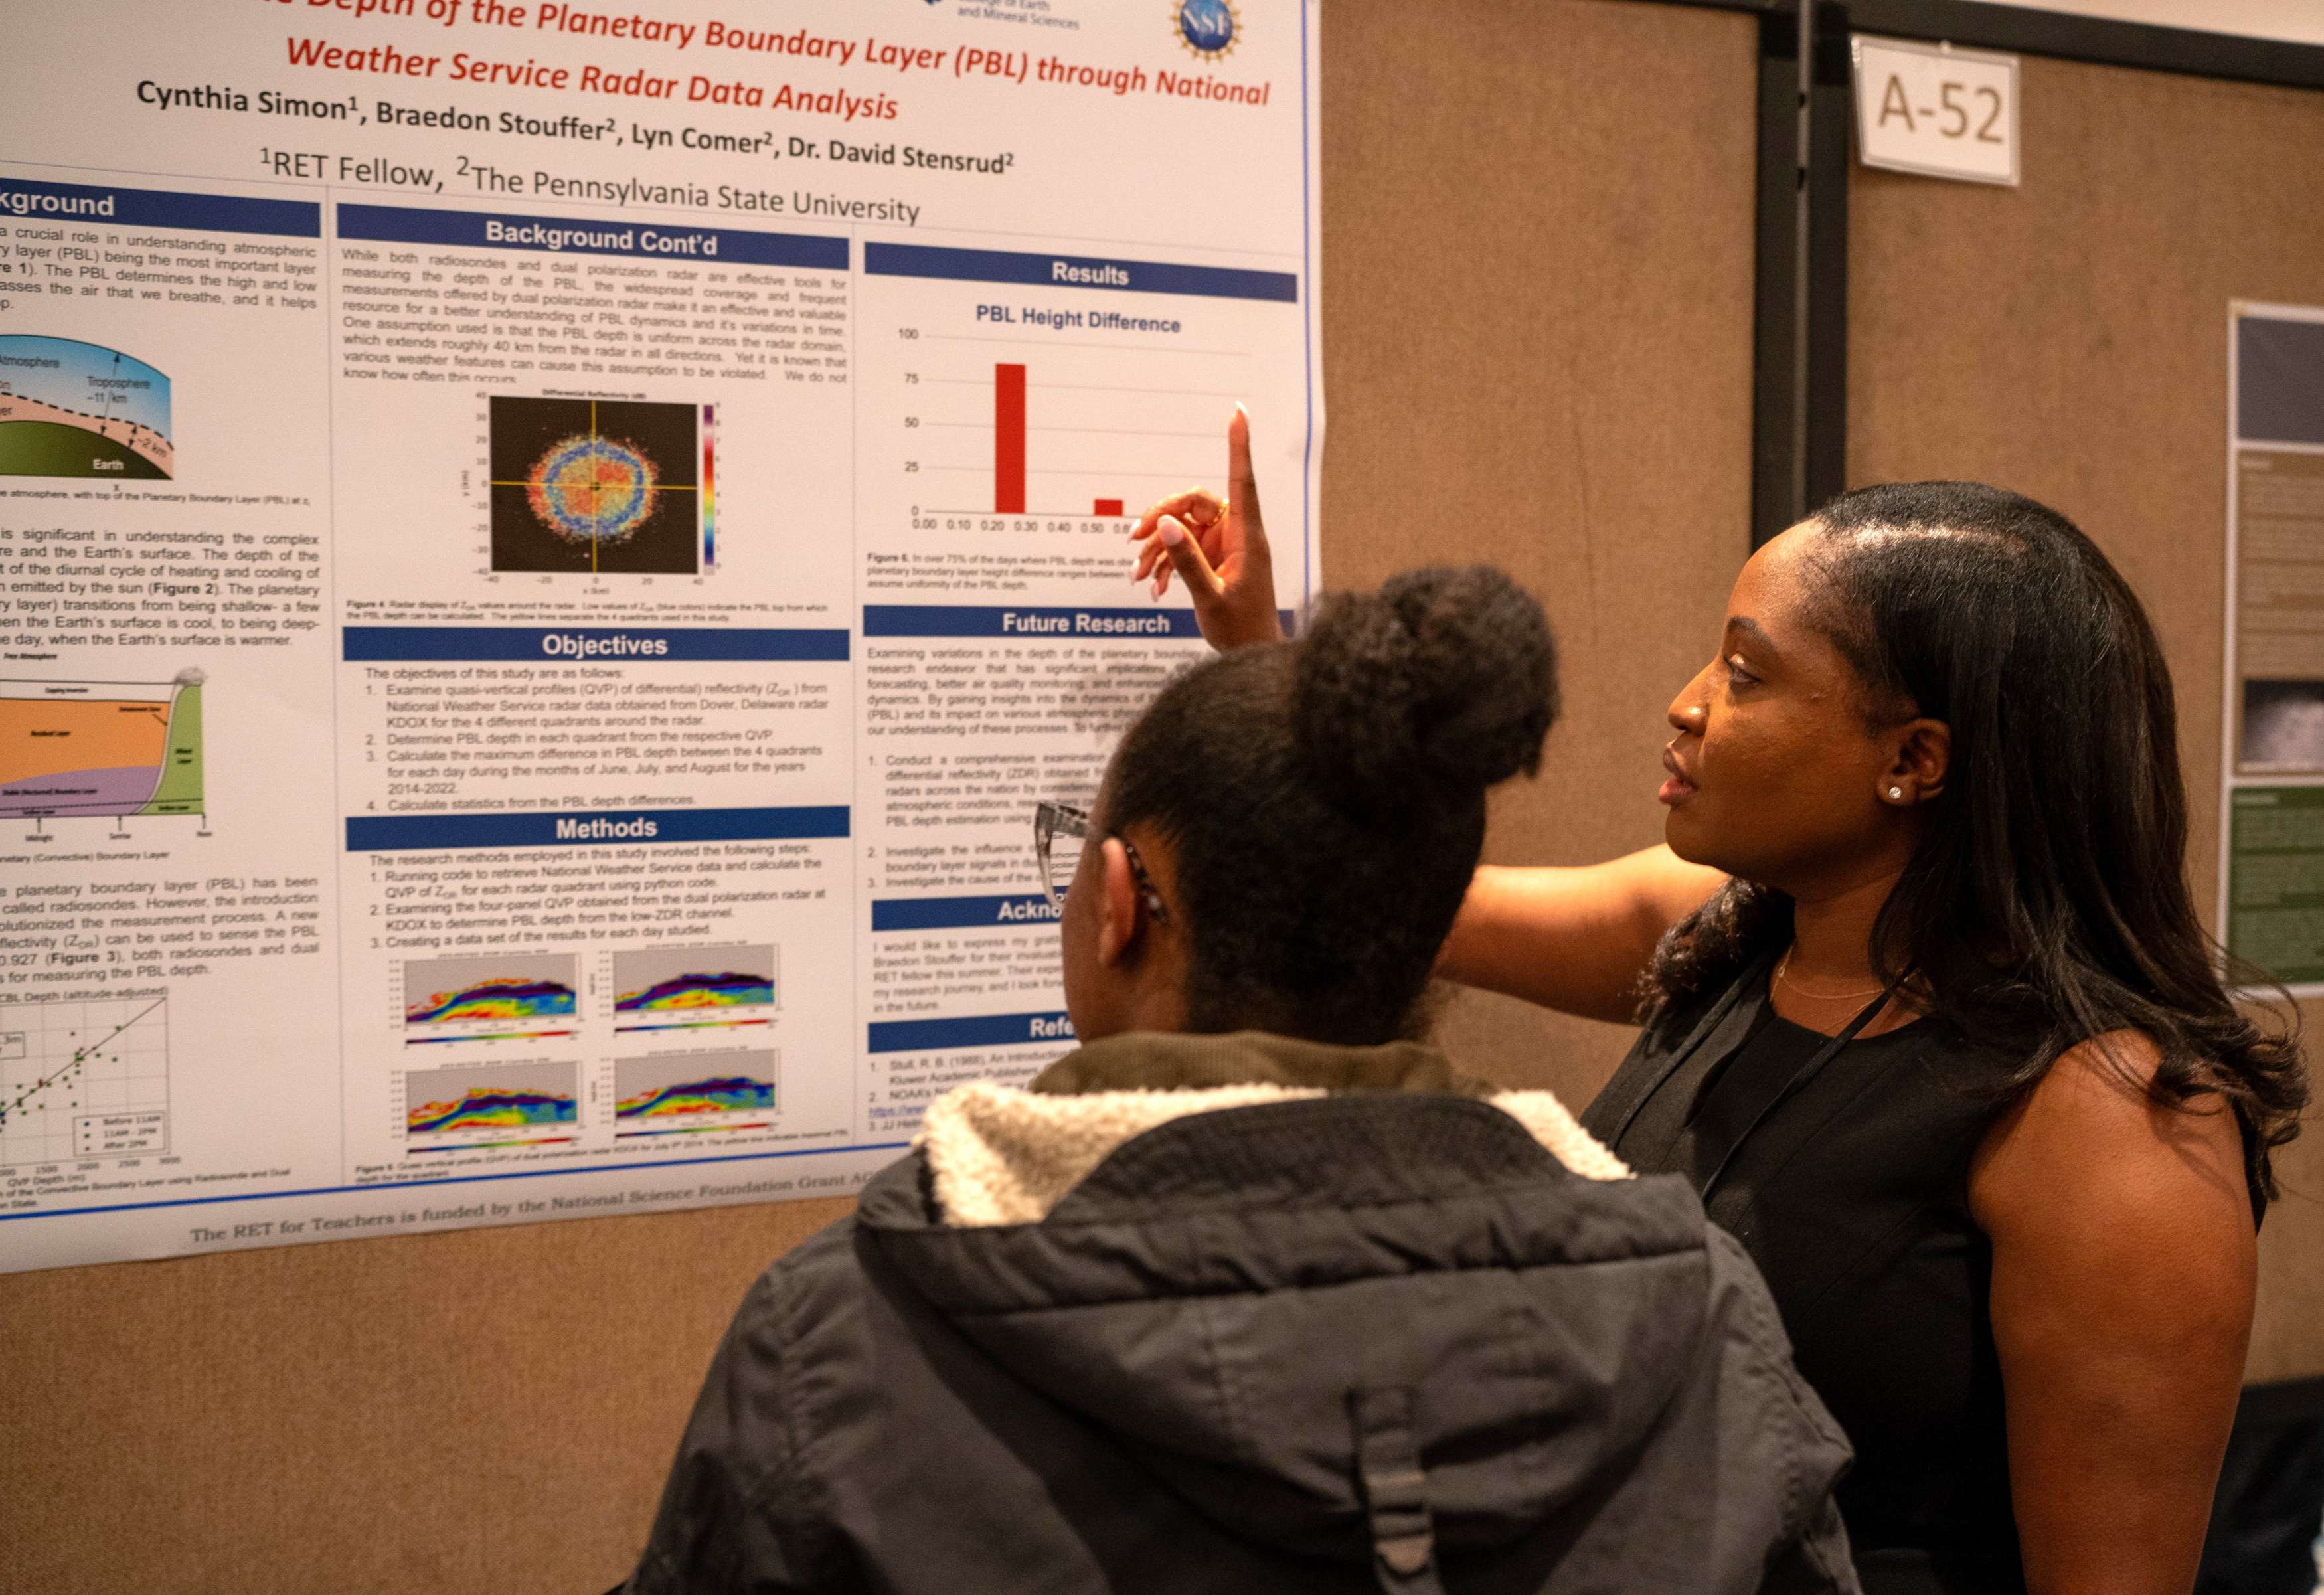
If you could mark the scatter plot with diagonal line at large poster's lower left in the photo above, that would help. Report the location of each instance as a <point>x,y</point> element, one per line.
<point>85,1080</point>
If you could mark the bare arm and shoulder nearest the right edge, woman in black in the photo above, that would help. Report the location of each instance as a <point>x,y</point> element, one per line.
<point>2123,1285</point>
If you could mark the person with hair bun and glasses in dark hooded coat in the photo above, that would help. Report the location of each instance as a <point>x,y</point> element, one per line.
<point>1254,1292</point>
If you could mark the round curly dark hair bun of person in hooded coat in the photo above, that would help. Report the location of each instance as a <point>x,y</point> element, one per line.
<point>1426,694</point>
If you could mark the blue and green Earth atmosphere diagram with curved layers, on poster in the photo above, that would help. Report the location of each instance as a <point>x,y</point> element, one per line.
<point>83,410</point>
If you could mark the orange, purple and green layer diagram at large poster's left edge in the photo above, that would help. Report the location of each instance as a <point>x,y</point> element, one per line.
<point>101,748</point>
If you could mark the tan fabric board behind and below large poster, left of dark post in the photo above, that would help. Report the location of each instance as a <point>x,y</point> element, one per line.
<point>1537,343</point>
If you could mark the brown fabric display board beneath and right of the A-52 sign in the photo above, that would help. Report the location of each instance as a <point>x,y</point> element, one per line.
<point>2070,341</point>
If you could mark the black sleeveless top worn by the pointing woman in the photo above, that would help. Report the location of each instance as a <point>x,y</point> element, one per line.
<point>1851,1194</point>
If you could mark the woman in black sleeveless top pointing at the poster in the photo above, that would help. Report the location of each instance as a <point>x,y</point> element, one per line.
<point>1928,1020</point>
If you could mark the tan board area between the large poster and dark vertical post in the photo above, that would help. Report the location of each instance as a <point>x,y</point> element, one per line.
<point>1558,382</point>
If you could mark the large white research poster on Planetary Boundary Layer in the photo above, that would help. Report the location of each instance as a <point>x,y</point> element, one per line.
<point>550,555</point>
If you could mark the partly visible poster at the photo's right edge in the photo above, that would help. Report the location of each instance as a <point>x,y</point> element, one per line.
<point>2272,878</point>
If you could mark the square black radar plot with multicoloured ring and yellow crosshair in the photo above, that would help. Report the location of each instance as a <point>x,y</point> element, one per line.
<point>610,487</point>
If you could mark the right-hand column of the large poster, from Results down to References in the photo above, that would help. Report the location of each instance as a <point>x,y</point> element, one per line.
<point>1010,410</point>
